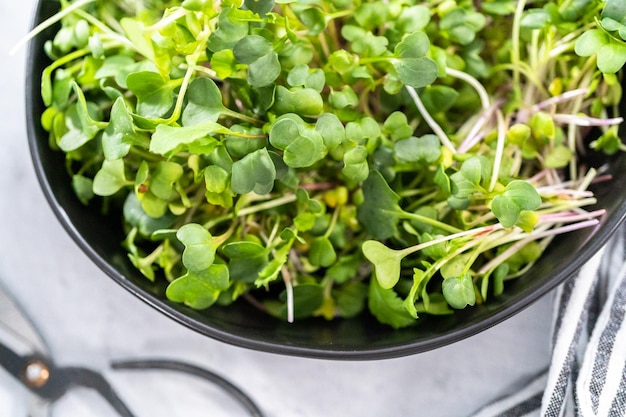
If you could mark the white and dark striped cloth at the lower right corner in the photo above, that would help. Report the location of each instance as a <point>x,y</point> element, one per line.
<point>587,373</point>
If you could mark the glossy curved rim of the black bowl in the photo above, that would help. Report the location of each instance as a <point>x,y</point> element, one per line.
<point>600,236</point>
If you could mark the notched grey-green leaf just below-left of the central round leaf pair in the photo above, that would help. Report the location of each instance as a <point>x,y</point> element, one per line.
<point>255,172</point>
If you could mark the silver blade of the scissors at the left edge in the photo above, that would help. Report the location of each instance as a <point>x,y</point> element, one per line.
<point>16,330</point>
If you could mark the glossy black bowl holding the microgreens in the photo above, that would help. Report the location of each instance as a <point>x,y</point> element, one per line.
<point>240,324</point>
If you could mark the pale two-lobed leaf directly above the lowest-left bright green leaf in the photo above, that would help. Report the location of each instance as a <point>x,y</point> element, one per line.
<point>199,253</point>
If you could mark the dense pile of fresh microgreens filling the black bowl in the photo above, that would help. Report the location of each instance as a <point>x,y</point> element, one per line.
<point>323,157</point>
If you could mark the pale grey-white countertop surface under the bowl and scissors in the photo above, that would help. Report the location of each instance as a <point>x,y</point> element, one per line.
<point>87,319</point>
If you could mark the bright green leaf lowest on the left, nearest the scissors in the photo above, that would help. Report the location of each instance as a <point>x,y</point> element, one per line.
<point>199,289</point>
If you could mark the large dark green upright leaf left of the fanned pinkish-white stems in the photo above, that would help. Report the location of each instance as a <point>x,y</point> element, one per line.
<point>378,212</point>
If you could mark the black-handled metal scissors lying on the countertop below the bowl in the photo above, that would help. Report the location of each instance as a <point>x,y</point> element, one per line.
<point>23,354</point>
